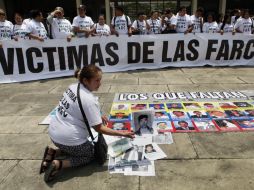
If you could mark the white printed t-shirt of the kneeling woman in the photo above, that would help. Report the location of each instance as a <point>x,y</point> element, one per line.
<point>68,126</point>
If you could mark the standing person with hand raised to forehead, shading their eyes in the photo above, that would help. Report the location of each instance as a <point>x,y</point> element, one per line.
<point>60,27</point>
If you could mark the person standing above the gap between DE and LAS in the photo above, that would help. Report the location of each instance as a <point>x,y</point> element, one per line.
<point>155,23</point>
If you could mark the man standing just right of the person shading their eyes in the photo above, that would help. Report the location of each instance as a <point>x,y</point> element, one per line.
<point>82,24</point>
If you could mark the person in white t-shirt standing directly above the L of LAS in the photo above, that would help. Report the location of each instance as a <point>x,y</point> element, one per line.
<point>169,22</point>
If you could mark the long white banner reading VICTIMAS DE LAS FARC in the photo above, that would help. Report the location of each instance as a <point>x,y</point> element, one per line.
<point>31,60</point>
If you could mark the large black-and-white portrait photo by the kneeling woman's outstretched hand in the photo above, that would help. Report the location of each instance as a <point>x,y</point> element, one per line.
<point>143,122</point>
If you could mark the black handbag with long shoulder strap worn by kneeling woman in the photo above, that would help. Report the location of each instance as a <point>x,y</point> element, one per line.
<point>100,146</point>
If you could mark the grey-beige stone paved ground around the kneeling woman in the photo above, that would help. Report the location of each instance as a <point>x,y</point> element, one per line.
<point>205,161</point>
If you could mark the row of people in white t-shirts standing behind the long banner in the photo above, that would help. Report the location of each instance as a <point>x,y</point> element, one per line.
<point>83,26</point>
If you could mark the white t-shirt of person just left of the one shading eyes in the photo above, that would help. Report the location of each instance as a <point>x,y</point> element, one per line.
<point>37,28</point>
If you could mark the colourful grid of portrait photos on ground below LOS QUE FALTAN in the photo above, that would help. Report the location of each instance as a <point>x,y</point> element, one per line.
<point>184,116</point>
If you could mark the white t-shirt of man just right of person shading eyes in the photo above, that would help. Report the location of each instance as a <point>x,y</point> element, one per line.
<point>82,23</point>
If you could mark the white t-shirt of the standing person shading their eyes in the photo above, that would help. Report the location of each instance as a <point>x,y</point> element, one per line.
<point>61,28</point>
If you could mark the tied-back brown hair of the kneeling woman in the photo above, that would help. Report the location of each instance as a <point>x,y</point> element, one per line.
<point>87,72</point>
